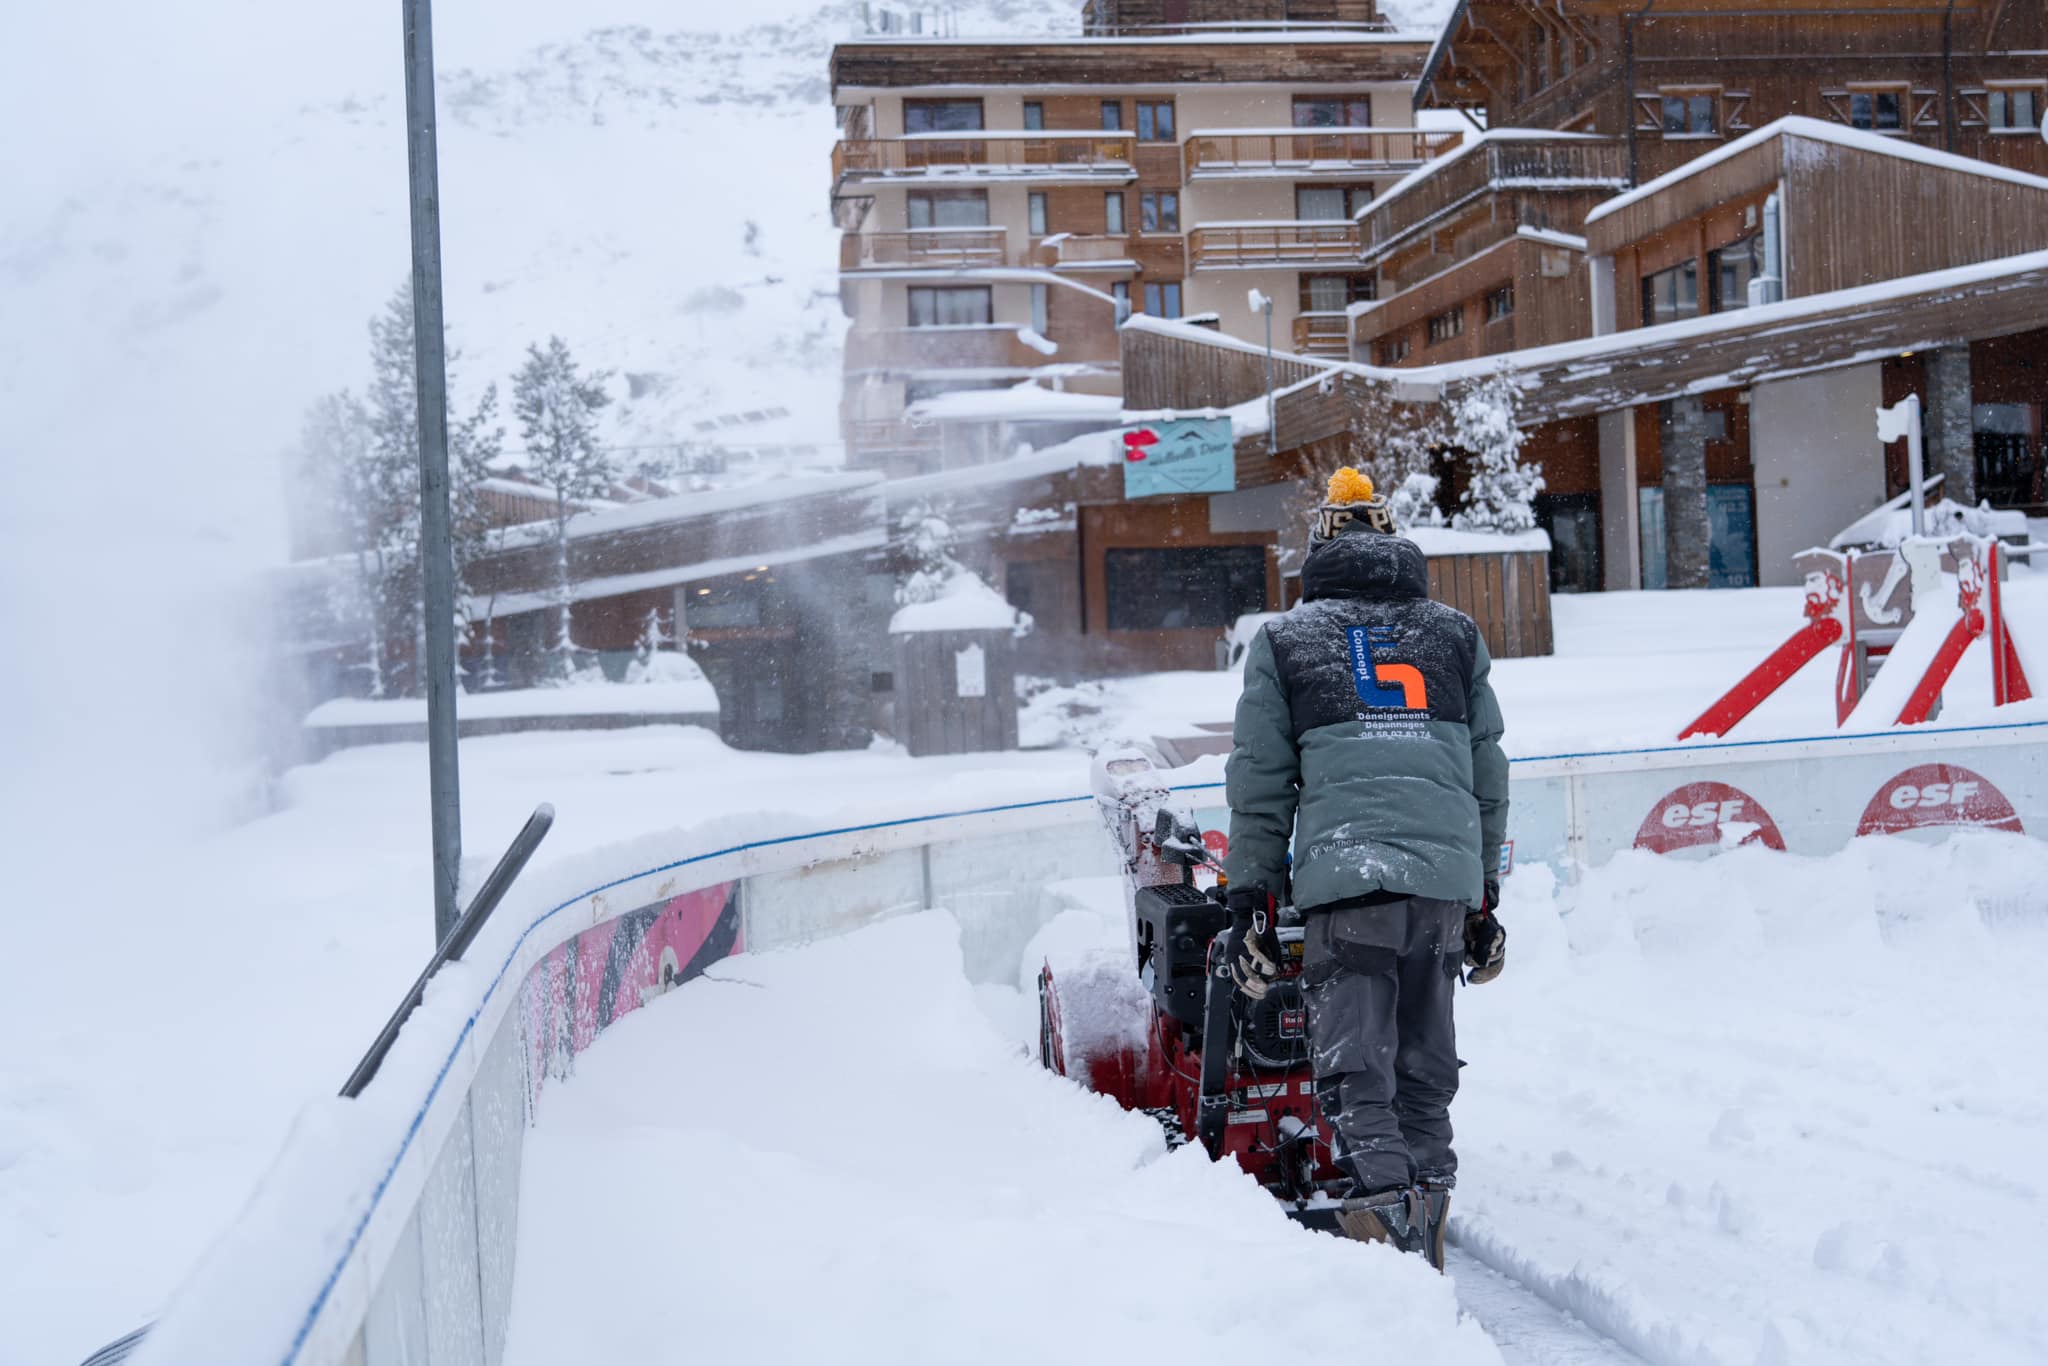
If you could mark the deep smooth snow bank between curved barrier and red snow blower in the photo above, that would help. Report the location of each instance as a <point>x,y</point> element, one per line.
<point>845,1158</point>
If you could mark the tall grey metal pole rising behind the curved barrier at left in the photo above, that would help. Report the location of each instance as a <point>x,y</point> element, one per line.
<point>437,548</point>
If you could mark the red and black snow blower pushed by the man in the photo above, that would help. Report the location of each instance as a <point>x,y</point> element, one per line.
<point>1166,1029</point>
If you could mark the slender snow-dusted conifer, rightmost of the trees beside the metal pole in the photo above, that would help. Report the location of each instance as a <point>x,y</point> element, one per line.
<point>556,409</point>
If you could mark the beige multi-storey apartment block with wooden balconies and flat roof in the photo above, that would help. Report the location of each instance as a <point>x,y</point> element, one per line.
<point>1009,202</point>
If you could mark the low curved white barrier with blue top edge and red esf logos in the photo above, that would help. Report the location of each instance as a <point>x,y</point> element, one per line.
<point>388,1228</point>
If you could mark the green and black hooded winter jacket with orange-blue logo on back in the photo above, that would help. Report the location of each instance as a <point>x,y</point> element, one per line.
<point>1369,734</point>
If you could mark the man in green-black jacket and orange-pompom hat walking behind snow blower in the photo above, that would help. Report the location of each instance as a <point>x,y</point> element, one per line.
<point>1369,734</point>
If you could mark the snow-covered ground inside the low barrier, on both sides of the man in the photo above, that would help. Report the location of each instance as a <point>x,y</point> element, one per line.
<point>1756,1109</point>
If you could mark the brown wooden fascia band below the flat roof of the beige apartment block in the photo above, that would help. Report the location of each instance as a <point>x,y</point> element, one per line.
<point>914,65</point>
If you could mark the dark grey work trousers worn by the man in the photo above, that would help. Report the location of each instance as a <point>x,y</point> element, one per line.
<point>1379,984</point>
